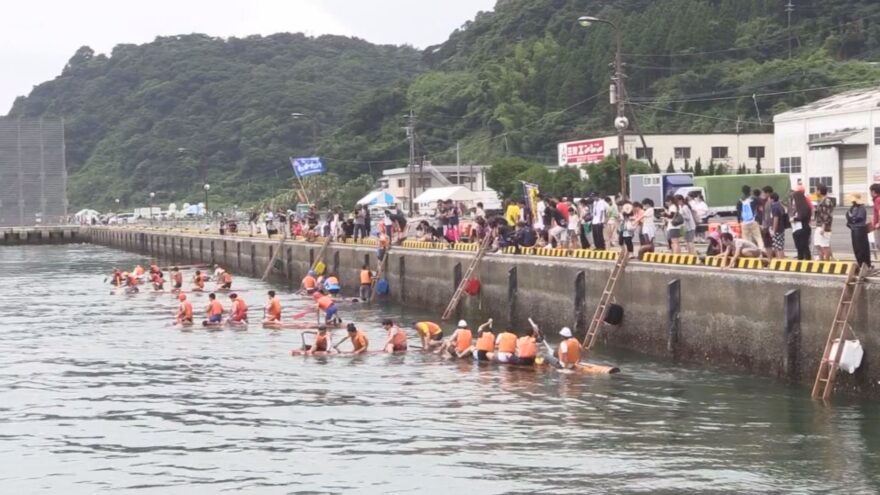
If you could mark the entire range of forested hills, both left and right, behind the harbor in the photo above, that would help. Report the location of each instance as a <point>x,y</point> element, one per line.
<point>511,83</point>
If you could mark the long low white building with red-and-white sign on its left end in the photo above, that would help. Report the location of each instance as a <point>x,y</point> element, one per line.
<point>731,150</point>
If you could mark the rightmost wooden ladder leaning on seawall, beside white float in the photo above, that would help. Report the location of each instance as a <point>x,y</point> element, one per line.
<point>829,365</point>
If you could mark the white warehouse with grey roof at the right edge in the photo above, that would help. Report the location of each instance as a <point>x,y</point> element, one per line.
<point>834,141</point>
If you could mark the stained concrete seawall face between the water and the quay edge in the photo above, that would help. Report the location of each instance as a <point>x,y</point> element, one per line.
<point>768,323</point>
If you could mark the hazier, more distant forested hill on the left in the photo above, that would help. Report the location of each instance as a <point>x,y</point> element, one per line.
<point>228,102</point>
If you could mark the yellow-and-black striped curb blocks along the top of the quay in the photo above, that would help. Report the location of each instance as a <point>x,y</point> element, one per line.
<point>776,265</point>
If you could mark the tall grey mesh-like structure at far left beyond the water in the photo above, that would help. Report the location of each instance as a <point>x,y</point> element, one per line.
<point>33,175</point>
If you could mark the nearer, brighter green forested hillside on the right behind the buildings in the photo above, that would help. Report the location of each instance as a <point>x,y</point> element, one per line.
<point>520,79</point>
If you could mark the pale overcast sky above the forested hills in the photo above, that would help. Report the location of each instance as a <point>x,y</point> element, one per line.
<point>39,36</point>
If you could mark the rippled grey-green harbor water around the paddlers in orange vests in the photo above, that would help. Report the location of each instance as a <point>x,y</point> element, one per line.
<point>100,393</point>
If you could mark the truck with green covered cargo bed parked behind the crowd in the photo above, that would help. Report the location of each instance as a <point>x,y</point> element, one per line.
<point>722,192</point>
